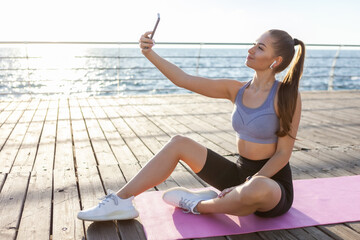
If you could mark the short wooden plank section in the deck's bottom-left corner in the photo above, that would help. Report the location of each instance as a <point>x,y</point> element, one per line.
<point>11,201</point>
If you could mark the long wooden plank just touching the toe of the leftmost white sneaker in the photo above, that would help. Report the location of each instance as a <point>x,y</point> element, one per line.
<point>66,204</point>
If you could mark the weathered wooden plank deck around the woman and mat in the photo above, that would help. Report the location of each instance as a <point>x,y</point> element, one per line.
<point>59,155</point>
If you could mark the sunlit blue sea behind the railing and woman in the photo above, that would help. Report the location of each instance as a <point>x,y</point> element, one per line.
<point>88,70</point>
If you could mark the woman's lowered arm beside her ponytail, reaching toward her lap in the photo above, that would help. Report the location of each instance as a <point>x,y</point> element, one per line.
<point>284,147</point>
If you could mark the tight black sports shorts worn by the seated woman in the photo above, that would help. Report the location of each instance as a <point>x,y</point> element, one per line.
<point>222,173</point>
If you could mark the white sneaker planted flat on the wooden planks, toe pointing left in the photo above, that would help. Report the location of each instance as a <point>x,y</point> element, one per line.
<point>110,208</point>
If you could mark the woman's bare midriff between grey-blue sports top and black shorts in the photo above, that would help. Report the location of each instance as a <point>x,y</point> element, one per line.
<point>255,151</point>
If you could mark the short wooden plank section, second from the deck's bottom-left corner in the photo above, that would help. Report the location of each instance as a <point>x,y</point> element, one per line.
<point>35,219</point>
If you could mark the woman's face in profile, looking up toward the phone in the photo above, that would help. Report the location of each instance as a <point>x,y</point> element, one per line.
<point>261,55</point>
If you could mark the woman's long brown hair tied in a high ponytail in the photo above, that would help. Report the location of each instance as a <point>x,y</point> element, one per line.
<point>284,46</point>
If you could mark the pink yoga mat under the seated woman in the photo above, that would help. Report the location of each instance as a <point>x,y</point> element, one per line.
<point>316,202</point>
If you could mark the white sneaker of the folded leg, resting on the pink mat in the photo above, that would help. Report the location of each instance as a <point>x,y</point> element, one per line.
<point>187,199</point>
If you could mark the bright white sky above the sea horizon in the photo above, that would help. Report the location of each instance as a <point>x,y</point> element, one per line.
<point>313,21</point>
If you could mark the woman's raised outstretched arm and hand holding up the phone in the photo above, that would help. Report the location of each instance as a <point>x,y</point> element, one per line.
<point>221,88</point>
